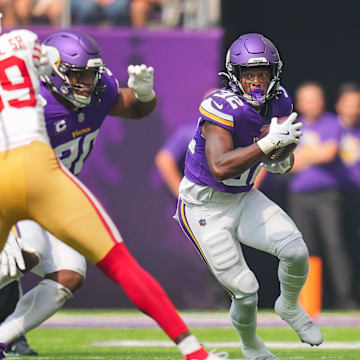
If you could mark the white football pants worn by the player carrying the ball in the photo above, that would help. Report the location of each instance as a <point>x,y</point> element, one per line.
<point>217,223</point>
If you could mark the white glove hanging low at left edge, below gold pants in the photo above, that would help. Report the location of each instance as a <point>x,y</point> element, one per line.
<point>11,257</point>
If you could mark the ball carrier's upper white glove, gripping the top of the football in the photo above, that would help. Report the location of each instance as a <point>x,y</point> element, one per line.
<point>281,135</point>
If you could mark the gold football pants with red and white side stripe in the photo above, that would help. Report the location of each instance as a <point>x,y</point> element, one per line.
<point>35,185</point>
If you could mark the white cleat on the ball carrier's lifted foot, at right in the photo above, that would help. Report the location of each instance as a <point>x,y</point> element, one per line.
<point>301,322</point>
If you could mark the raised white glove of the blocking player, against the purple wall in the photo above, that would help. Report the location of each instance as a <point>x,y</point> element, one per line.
<point>141,81</point>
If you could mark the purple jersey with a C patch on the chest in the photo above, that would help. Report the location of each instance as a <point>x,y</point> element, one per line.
<point>73,132</point>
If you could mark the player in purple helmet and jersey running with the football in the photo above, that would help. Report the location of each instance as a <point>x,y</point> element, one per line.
<point>219,210</point>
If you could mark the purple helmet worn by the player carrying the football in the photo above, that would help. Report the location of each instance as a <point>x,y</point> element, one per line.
<point>251,50</point>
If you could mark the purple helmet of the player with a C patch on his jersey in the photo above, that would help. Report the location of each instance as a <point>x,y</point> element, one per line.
<point>77,75</point>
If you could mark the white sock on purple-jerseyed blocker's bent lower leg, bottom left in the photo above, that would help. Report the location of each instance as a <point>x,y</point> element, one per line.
<point>36,306</point>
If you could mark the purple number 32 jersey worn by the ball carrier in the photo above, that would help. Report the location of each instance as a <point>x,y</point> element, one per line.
<point>226,109</point>
